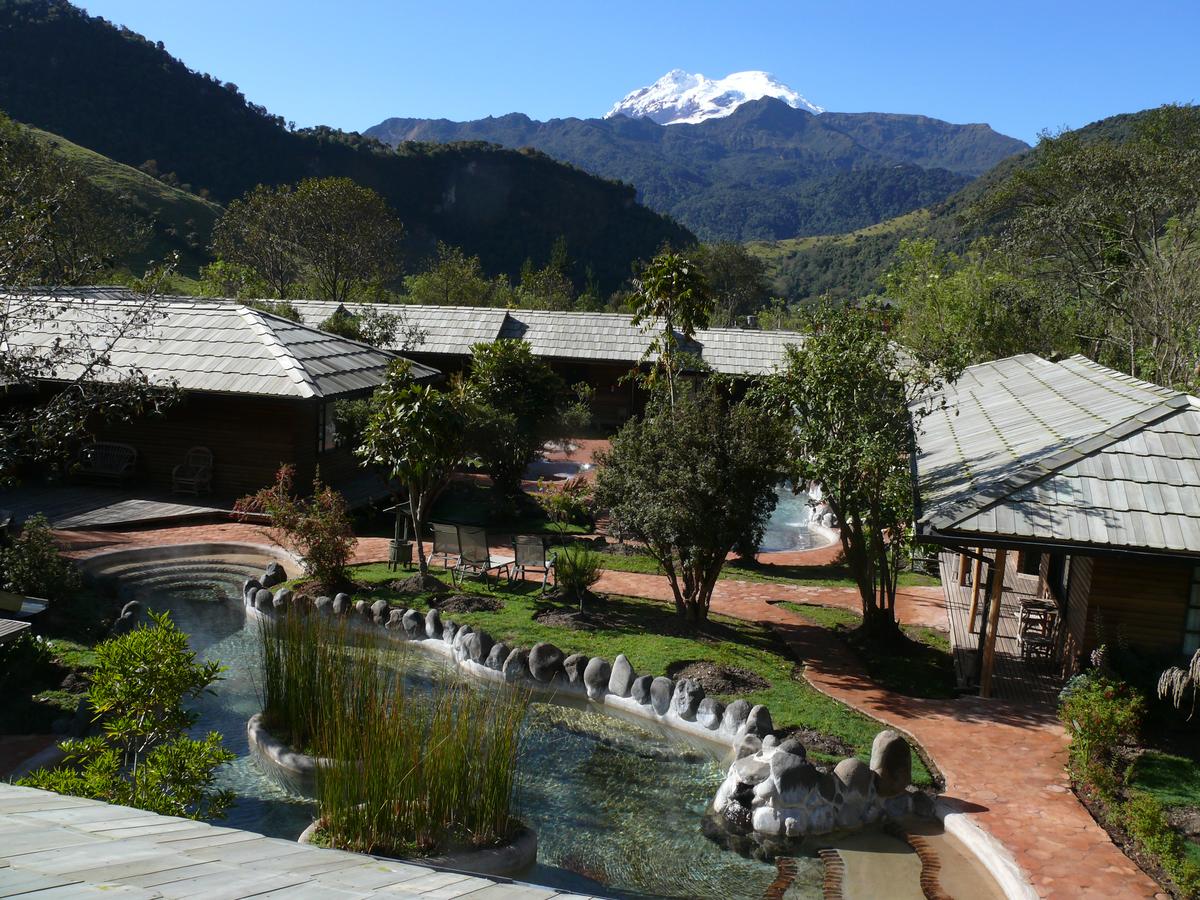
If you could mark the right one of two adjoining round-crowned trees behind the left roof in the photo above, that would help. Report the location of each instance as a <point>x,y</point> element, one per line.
<point>346,237</point>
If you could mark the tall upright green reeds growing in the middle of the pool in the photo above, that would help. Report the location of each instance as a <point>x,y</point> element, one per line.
<point>413,766</point>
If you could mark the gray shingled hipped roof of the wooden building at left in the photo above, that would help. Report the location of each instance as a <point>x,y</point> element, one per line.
<point>219,346</point>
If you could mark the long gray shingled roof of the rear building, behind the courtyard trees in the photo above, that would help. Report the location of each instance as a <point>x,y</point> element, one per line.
<point>584,337</point>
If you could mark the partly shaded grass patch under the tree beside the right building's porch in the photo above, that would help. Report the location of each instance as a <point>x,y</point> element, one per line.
<point>923,669</point>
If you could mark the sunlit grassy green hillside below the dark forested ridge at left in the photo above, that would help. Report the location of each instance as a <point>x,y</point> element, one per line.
<point>181,223</point>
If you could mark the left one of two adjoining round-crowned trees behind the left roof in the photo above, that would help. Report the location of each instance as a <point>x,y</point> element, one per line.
<point>255,244</point>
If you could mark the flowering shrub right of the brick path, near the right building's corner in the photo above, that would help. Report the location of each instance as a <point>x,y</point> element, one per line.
<point>1100,715</point>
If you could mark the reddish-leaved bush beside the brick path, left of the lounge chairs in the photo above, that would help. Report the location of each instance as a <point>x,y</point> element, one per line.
<point>317,527</point>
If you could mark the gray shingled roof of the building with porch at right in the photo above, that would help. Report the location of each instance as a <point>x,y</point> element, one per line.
<point>1070,453</point>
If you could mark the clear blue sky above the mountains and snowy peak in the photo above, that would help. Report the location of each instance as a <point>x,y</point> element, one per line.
<point>1019,67</point>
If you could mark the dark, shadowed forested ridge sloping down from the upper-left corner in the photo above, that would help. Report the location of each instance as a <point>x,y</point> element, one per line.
<point>124,97</point>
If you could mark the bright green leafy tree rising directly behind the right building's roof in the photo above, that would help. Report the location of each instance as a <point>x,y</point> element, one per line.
<point>973,308</point>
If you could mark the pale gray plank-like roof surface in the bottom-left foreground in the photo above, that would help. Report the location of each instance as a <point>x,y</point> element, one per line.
<point>56,847</point>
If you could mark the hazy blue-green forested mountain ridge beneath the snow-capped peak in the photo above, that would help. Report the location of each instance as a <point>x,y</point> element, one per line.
<point>765,172</point>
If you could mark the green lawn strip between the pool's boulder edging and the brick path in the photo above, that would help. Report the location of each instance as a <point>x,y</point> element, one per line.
<point>652,638</point>
